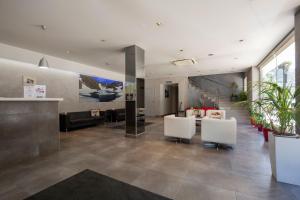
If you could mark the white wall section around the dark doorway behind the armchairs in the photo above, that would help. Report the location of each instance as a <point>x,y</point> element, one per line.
<point>155,94</point>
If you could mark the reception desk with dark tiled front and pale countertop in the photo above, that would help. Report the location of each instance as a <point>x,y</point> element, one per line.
<point>28,128</point>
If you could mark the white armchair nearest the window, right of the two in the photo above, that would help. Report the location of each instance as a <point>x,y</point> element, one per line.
<point>220,131</point>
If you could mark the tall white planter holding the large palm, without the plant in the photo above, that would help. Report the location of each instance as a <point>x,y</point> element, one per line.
<point>285,158</point>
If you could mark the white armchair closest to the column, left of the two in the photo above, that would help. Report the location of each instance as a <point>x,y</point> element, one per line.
<point>179,127</point>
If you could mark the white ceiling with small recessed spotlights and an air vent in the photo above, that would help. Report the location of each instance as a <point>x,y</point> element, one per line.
<point>199,27</point>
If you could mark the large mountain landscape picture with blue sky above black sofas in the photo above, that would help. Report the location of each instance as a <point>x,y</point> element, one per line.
<point>97,89</point>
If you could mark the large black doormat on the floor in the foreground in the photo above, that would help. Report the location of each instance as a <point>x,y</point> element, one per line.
<point>89,185</point>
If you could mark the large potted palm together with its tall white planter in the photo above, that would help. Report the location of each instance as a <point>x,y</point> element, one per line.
<point>282,111</point>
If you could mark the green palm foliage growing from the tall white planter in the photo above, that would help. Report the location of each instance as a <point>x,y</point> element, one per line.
<point>280,106</point>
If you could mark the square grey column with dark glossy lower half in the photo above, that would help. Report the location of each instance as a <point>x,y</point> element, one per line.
<point>134,90</point>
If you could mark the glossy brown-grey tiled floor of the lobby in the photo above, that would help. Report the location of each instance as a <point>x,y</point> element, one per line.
<point>179,171</point>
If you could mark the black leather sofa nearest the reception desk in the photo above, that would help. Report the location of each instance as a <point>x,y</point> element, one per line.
<point>75,120</point>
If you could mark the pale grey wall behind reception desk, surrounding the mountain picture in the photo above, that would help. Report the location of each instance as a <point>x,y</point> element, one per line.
<point>61,78</point>
